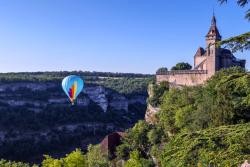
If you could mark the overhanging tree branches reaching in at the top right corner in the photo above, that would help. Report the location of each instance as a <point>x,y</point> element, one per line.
<point>240,42</point>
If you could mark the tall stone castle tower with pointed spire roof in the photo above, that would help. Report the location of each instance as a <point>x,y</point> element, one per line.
<point>212,51</point>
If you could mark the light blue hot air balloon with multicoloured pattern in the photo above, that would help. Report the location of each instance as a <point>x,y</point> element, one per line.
<point>72,86</point>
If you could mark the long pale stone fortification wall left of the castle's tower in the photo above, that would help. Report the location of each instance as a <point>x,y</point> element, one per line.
<point>188,78</point>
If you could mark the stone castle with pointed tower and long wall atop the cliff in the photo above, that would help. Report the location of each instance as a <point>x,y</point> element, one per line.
<point>206,62</point>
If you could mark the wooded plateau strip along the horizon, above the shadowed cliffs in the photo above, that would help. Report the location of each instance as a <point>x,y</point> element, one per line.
<point>124,83</point>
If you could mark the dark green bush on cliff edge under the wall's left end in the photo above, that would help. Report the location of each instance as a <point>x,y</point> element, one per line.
<point>157,92</point>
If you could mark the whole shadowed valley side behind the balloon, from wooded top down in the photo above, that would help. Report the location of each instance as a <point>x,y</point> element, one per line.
<point>36,117</point>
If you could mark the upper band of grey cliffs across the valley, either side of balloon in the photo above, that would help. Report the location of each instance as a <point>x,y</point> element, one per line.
<point>39,95</point>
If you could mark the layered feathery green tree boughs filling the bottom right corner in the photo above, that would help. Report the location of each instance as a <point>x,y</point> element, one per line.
<point>223,146</point>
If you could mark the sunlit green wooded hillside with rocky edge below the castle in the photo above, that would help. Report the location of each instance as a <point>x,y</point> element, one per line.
<point>193,126</point>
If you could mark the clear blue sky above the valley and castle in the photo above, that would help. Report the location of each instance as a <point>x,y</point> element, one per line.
<point>109,35</point>
